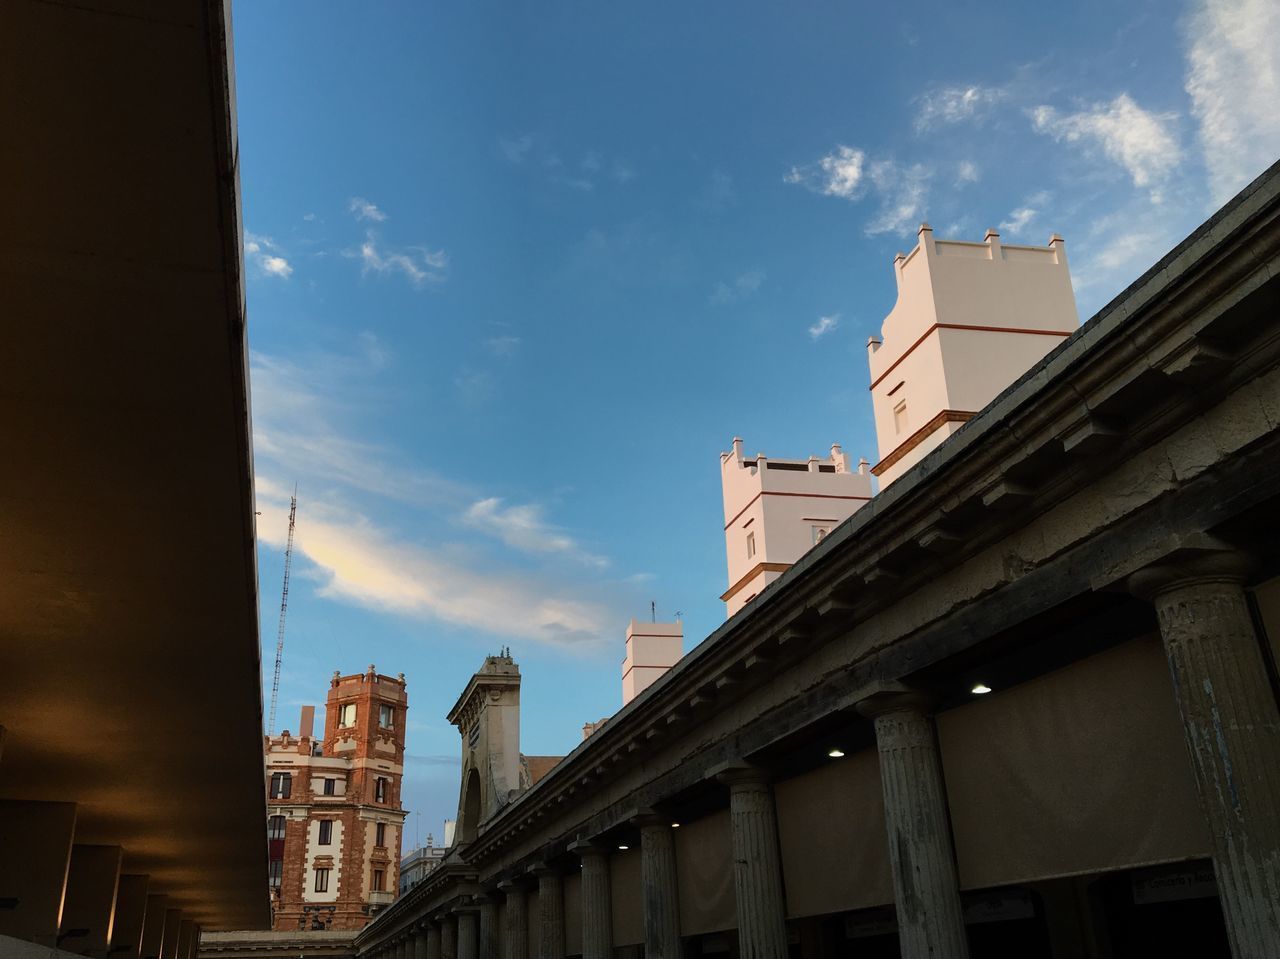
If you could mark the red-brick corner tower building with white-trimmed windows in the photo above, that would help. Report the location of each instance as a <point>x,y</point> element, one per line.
<point>335,818</point>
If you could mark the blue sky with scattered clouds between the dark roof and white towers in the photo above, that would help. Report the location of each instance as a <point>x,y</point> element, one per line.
<point>518,273</point>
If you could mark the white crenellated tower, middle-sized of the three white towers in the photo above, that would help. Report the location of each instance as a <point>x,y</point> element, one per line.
<point>779,510</point>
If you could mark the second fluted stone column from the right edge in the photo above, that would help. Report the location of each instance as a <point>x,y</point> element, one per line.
<point>922,857</point>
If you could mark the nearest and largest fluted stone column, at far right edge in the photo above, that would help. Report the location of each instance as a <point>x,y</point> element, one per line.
<point>1232,728</point>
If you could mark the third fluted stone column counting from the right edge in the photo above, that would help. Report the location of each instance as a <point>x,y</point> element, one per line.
<point>762,906</point>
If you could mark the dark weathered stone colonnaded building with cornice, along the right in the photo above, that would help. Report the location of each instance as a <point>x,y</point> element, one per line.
<point>1022,704</point>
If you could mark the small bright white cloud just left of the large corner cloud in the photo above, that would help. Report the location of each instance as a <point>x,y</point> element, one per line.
<point>1141,141</point>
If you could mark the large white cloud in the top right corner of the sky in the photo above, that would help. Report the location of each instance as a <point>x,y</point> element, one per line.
<point>1235,83</point>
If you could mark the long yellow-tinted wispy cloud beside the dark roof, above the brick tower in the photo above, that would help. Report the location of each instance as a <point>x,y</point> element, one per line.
<point>307,415</point>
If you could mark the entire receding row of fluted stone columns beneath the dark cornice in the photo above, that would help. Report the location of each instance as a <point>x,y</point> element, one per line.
<point>1232,725</point>
